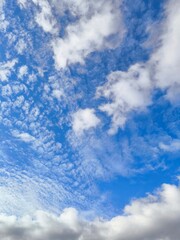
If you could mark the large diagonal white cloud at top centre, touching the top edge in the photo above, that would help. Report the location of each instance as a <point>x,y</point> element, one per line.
<point>99,26</point>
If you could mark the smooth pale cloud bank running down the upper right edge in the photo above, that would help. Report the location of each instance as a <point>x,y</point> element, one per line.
<point>167,58</point>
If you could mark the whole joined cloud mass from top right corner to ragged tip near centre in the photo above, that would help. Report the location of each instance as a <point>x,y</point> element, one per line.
<point>132,90</point>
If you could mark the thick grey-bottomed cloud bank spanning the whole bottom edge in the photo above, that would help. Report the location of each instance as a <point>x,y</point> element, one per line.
<point>152,218</point>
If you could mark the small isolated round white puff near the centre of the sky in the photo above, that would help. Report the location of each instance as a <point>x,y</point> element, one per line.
<point>84,119</point>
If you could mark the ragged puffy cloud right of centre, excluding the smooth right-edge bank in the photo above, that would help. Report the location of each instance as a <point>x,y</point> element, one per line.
<point>127,91</point>
